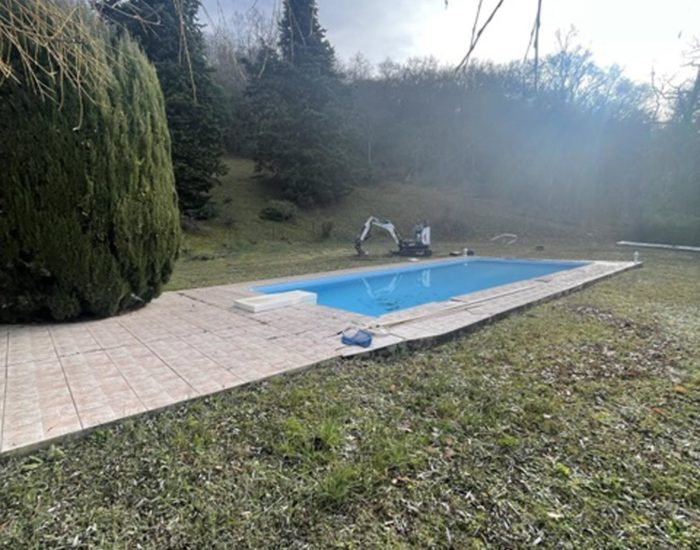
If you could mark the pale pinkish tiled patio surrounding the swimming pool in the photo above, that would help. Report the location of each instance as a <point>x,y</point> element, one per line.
<point>65,378</point>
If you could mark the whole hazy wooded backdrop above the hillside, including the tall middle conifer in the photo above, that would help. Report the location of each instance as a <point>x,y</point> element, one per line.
<point>586,146</point>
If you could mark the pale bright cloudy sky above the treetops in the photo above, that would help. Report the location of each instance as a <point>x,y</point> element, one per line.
<point>638,35</point>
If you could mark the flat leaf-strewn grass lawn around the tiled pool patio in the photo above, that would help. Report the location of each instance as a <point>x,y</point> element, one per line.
<point>573,424</point>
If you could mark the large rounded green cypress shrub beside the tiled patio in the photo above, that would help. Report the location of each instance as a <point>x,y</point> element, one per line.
<point>89,223</point>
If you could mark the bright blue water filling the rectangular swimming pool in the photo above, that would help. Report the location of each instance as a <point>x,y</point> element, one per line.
<point>378,292</point>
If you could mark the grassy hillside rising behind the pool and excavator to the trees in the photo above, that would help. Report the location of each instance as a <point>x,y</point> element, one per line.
<point>237,245</point>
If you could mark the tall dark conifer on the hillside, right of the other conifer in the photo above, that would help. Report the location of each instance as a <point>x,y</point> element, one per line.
<point>299,109</point>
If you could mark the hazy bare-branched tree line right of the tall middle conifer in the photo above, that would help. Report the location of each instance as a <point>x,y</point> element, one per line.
<point>585,147</point>
